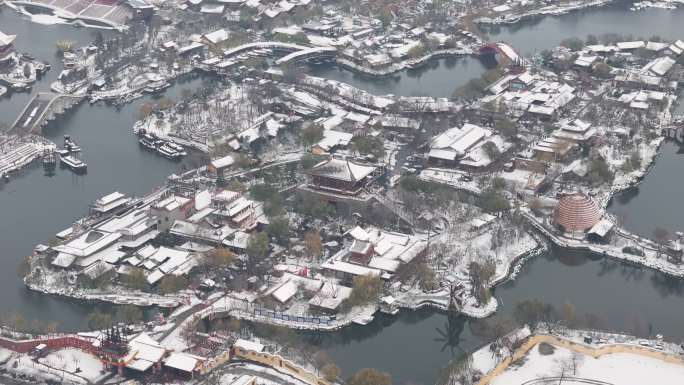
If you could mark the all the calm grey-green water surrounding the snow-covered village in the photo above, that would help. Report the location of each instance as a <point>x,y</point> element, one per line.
<point>34,207</point>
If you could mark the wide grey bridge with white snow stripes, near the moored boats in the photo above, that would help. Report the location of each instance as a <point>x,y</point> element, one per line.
<point>43,107</point>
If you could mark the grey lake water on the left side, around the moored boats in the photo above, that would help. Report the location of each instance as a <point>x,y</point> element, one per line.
<point>33,206</point>
